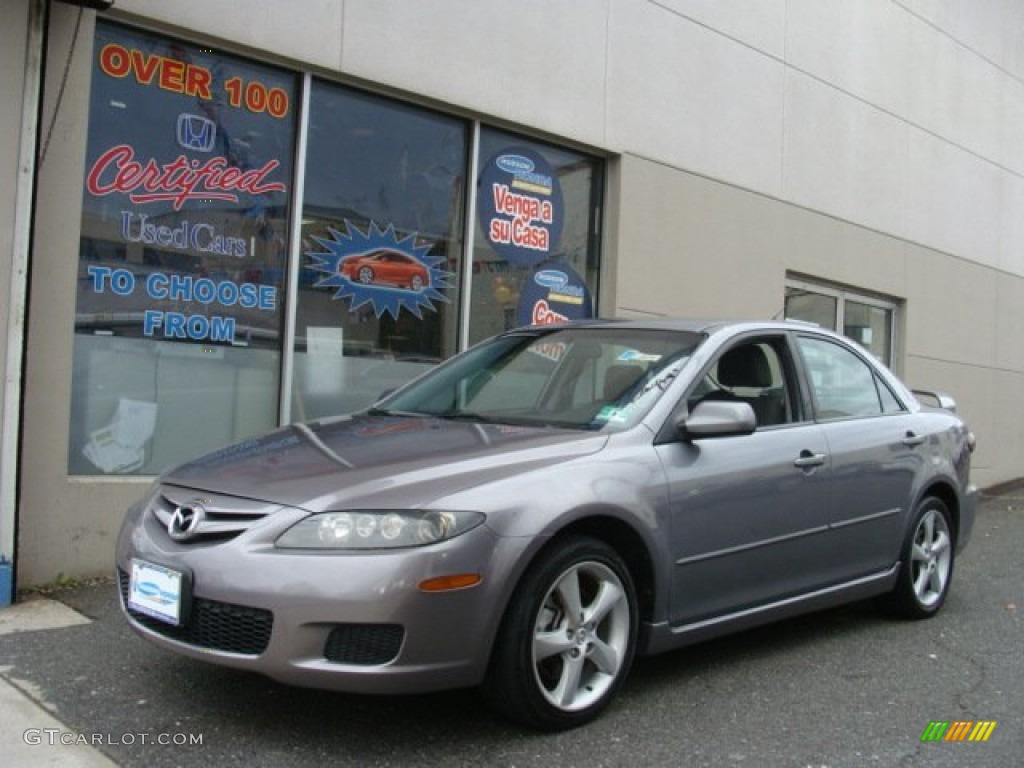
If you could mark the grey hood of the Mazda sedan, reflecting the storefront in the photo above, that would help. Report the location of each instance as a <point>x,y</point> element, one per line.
<point>385,461</point>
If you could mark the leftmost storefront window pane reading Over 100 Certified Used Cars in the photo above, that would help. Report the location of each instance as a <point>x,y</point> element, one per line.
<point>182,265</point>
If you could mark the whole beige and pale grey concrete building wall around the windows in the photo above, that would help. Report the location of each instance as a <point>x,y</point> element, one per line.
<point>876,144</point>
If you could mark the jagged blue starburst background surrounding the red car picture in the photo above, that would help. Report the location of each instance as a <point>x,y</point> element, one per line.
<point>385,297</point>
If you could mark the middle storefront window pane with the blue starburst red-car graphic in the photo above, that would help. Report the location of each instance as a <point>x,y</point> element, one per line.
<point>382,241</point>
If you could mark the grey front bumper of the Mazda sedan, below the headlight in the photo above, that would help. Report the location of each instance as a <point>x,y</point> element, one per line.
<point>353,622</point>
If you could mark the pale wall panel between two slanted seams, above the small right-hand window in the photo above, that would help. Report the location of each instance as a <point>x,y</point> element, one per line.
<point>844,157</point>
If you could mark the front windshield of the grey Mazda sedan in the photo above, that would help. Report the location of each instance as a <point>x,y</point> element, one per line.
<point>581,378</point>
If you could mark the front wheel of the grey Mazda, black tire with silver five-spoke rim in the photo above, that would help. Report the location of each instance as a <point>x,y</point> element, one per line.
<point>550,670</point>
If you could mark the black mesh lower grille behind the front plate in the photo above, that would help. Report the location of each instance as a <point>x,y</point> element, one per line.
<point>212,625</point>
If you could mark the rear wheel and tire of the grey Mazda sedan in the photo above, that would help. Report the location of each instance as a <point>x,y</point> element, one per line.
<point>927,565</point>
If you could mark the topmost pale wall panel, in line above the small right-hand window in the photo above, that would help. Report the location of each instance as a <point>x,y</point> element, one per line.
<point>860,48</point>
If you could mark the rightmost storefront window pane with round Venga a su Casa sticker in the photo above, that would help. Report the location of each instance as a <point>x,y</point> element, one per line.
<point>536,251</point>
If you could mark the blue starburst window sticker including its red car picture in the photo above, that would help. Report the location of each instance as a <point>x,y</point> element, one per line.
<point>380,270</point>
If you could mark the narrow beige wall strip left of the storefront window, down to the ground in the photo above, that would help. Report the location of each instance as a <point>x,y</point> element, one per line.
<point>62,530</point>
